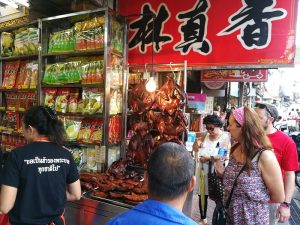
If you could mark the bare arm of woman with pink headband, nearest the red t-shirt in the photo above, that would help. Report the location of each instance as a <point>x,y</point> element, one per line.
<point>271,174</point>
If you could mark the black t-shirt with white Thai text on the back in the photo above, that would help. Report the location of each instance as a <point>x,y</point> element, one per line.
<point>41,172</point>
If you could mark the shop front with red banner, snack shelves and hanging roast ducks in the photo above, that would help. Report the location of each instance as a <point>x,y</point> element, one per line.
<point>119,81</point>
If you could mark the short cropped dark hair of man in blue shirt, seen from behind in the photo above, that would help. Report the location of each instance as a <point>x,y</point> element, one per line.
<point>170,170</point>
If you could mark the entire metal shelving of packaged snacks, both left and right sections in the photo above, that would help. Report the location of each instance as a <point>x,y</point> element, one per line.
<point>75,64</point>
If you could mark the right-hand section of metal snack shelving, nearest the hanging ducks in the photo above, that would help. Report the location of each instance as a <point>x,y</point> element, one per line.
<point>82,64</point>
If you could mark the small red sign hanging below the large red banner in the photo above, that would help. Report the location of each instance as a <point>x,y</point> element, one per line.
<point>235,75</point>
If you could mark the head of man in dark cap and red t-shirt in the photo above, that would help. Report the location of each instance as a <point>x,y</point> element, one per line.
<point>267,114</point>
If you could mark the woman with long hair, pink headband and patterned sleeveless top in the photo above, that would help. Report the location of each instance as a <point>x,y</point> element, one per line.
<point>255,168</point>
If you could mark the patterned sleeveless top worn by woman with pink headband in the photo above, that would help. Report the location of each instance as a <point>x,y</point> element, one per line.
<point>249,202</point>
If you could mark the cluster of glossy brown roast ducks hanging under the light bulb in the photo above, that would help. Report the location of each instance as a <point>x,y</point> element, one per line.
<point>168,119</point>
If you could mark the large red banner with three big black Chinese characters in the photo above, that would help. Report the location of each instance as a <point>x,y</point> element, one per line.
<point>210,33</point>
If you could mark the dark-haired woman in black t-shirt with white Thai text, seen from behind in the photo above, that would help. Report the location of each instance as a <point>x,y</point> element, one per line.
<point>41,176</point>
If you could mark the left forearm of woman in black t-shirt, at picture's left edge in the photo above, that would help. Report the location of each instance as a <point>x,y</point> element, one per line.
<point>7,198</point>
